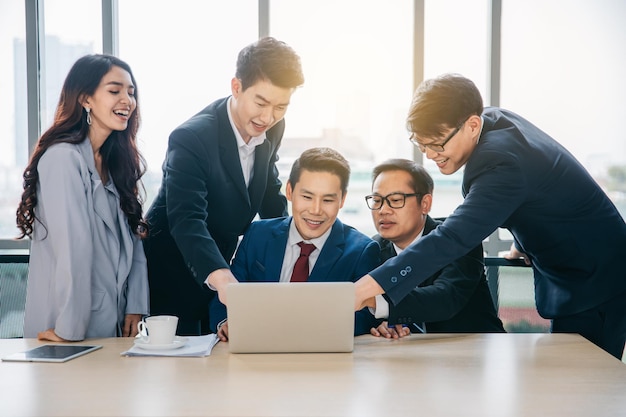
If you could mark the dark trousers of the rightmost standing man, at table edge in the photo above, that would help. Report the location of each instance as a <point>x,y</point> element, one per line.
<point>604,325</point>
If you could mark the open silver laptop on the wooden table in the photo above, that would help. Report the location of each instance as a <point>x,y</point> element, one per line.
<point>311,317</point>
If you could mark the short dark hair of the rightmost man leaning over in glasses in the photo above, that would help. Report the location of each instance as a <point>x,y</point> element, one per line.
<point>442,103</point>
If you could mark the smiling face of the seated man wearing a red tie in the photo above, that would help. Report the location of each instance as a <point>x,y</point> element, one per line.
<point>315,202</point>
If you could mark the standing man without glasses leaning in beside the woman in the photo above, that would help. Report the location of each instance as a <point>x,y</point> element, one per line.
<point>219,173</point>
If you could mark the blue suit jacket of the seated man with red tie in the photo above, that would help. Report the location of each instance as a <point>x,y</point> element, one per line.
<point>347,255</point>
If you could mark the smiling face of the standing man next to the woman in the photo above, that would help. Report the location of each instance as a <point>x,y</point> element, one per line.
<point>259,107</point>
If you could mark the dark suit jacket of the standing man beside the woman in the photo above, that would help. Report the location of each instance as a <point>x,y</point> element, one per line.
<point>203,206</point>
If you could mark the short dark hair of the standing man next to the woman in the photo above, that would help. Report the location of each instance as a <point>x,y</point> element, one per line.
<point>271,60</point>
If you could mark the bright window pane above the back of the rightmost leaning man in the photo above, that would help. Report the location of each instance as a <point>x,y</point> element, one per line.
<point>568,79</point>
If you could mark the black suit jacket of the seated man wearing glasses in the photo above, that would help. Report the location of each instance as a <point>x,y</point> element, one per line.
<point>455,299</point>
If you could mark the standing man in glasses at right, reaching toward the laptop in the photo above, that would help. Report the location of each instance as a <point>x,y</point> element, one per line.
<point>519,178</point>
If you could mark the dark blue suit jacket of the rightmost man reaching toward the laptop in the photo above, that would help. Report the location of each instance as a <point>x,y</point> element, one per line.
<point>520,178</point>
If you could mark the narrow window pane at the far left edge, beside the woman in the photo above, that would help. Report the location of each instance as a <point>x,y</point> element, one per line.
<point>13,123</point>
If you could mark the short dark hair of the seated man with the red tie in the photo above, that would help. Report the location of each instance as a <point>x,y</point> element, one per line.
<point>321,160</point>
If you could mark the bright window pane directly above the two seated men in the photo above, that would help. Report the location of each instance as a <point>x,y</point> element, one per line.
<point>357,58</point>
